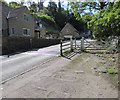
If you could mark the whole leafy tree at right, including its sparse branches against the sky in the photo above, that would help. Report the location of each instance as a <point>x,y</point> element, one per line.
<point>102,18</point>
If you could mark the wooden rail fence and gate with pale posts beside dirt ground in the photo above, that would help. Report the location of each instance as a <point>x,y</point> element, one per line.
<point>83,44</point>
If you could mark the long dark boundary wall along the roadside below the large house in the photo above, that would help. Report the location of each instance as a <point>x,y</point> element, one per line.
<point>16,44</point>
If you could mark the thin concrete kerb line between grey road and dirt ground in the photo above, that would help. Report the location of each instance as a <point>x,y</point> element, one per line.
<point>50,59</point>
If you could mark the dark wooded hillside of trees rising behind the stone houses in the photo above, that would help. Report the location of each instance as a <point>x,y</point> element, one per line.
<point>54,15</point>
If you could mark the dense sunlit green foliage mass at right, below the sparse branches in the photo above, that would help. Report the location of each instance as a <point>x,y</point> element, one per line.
<point>106,22</point>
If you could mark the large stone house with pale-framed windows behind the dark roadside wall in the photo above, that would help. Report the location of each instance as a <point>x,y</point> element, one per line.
<point>19,22</point>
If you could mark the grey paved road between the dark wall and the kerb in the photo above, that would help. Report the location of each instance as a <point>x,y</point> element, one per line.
<point>15,64</point>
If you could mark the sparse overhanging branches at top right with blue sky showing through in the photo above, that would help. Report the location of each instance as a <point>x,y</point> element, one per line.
<point>80,8</point>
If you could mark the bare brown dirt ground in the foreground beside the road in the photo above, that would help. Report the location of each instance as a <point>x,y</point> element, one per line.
<point>64,78</point>
